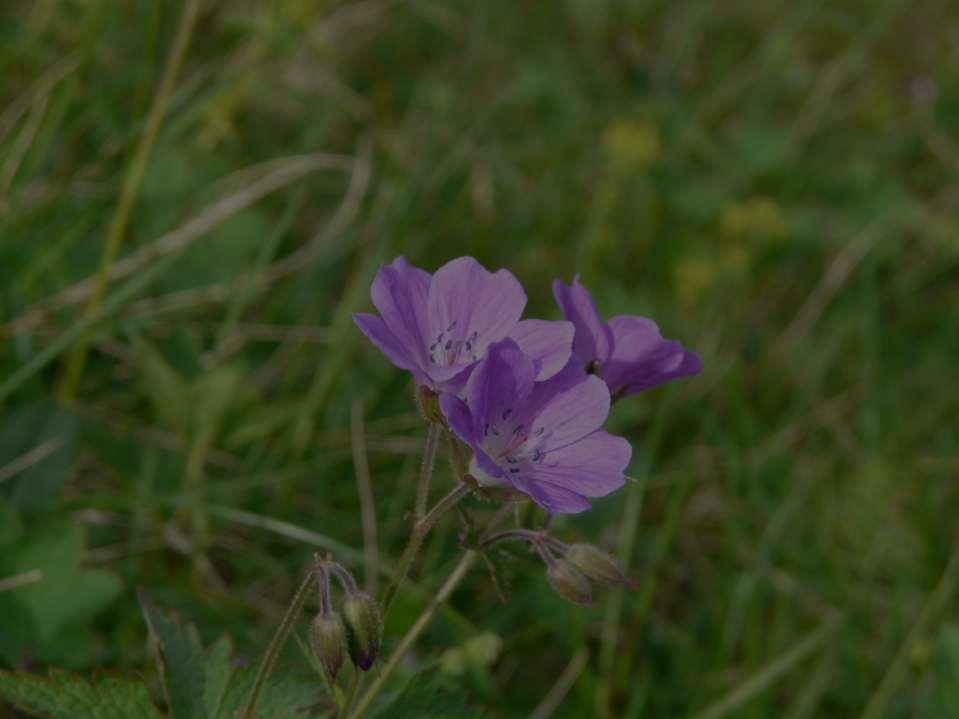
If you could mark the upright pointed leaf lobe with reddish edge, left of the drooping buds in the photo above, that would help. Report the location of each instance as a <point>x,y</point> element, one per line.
<point>180,660</point>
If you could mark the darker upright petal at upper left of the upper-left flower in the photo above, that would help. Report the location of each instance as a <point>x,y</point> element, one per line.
<point>400,292</point>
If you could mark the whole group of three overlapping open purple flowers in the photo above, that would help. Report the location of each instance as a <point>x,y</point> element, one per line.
<point>530,396</point>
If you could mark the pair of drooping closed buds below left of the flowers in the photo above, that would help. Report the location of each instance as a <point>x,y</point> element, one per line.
<point>356,630</point>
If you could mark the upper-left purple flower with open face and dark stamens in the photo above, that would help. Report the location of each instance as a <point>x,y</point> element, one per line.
<point>439,326</point>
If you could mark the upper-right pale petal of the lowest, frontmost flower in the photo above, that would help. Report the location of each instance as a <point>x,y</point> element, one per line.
<point>574,413</point>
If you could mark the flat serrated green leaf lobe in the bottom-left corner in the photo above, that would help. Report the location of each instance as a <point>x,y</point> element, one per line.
<point>67,696</point>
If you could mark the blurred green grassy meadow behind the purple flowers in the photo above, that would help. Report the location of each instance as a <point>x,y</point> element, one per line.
<point>775,183</point>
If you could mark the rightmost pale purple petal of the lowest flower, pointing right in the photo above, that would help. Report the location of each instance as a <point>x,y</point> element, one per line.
<point>593,466</point>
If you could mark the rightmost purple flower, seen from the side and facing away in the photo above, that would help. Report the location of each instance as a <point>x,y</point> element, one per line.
<point>628,352</point>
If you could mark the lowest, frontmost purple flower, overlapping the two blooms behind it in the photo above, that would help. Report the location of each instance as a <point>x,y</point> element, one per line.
<point>541,438</point>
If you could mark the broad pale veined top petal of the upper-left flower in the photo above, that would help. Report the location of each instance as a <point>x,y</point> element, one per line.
<point>465,298</point>
